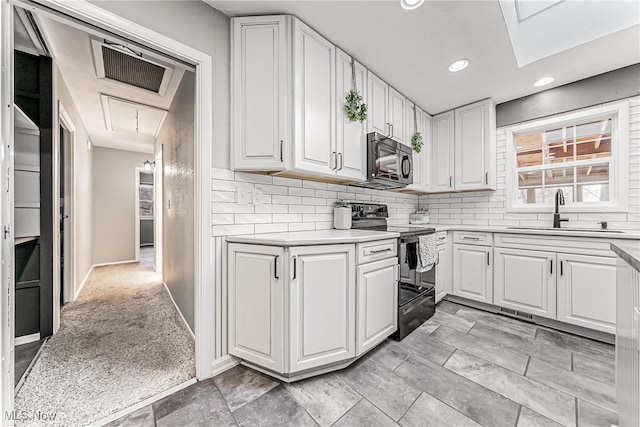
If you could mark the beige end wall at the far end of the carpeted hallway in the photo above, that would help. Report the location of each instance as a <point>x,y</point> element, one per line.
<point>114,189</point>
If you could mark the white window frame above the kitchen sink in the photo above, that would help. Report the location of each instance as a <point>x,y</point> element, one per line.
<point>618,162</point>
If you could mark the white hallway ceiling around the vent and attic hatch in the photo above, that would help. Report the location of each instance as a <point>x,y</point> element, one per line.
<point>136,127</point>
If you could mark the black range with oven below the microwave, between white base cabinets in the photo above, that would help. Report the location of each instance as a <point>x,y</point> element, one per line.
<point>416,291</point>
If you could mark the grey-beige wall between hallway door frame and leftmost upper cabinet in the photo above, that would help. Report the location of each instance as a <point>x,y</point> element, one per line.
<point>198,25</point>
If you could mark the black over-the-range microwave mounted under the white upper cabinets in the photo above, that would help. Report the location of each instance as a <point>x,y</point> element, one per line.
<point>389,163</point>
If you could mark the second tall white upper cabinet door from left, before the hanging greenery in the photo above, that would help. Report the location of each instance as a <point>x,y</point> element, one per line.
<point>314,101</point>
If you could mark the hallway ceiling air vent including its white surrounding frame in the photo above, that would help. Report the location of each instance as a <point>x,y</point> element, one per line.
<point>122,64</point>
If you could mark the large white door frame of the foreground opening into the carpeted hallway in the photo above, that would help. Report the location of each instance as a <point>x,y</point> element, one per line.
<point>93,15</point>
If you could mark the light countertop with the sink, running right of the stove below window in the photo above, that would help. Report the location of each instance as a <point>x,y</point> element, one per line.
<point>625,235</point>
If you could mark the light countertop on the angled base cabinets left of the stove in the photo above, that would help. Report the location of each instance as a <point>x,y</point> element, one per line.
<point>319,237</point>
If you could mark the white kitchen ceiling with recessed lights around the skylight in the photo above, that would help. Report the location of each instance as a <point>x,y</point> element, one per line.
<point>412,50</point>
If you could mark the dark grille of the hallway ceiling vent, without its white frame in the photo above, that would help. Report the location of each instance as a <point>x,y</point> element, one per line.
<point>132,70</point>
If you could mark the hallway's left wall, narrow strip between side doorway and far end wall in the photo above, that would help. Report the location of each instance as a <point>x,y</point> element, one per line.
<point>82,181</point>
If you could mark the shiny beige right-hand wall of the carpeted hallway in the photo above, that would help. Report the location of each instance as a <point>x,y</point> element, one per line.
<point>177,140</point>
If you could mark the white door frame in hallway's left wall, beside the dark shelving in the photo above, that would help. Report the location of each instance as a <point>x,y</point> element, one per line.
<point>67,287</point>
